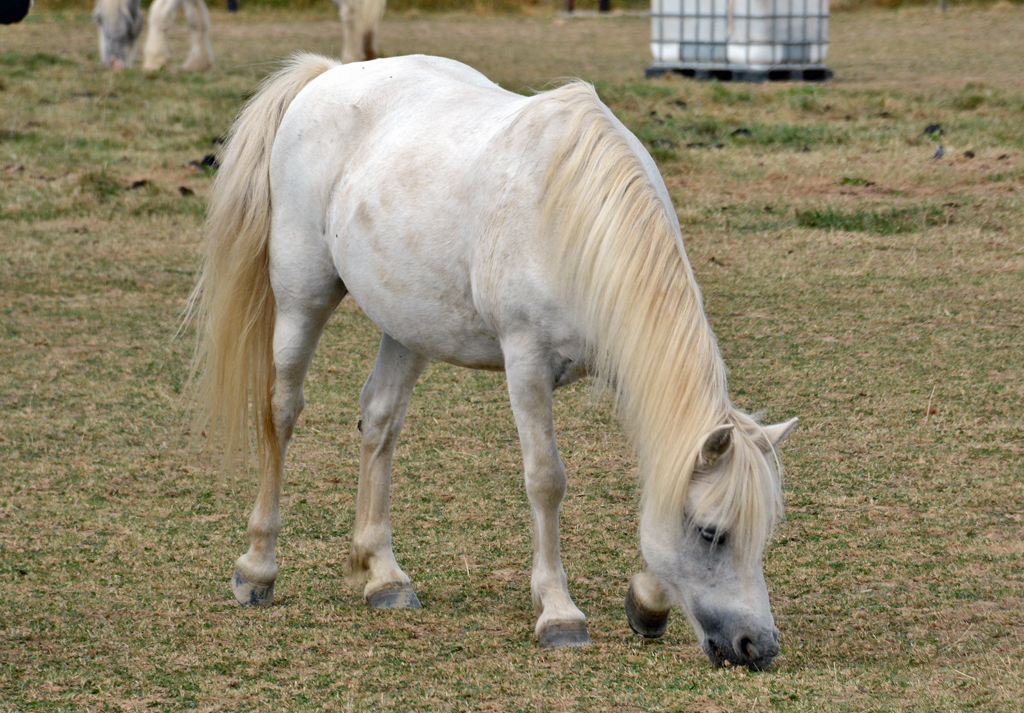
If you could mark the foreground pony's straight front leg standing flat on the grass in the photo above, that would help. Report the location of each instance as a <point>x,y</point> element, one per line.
<point>531,384</point>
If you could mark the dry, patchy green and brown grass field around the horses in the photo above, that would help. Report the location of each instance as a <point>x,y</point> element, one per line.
<point>852,280</point>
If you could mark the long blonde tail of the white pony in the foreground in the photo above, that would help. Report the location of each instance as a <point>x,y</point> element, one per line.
<point>233,302</point>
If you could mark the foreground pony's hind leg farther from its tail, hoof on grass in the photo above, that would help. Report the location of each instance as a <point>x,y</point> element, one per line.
<point>383,402</point>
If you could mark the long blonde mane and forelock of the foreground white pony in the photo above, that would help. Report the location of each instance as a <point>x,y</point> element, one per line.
<point>623,269</point>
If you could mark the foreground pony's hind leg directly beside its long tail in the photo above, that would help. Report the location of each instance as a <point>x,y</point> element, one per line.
<point>304,309</point>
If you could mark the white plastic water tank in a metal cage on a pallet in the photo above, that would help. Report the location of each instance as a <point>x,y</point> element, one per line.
<point>757,34</point>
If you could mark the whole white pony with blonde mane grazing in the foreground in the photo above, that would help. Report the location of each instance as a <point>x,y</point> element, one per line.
<point>491,231</point>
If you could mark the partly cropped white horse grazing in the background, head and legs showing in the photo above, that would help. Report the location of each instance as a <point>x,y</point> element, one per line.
<point>120,24</point>
